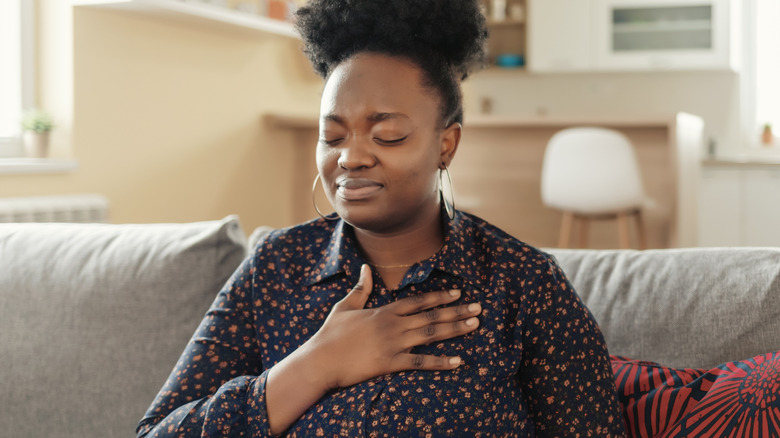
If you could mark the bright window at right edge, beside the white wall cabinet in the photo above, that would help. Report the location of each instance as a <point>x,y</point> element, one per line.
<point>761,73</point>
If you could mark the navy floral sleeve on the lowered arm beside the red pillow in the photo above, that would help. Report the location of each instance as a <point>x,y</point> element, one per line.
<point>566,375</point>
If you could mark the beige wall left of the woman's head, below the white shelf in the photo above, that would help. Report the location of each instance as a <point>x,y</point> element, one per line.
<point>167,116</point>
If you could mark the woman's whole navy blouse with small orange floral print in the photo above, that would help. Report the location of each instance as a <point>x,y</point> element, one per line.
<point>536,366</point>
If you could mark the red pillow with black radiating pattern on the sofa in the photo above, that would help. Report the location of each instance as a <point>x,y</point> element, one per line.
<point>738,399</point>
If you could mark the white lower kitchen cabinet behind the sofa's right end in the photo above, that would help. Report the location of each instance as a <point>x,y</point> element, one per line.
<point>739,205</point>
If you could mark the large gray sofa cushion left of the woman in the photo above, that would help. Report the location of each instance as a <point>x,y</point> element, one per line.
<point>93,318</point>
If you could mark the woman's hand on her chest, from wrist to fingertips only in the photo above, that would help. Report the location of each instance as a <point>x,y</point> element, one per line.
<point>355,344</point>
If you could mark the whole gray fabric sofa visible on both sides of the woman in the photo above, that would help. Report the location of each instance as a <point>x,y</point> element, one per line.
<point>93,317</point>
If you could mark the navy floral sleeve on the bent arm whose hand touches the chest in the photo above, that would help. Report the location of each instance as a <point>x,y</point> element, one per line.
<point>217,387</point>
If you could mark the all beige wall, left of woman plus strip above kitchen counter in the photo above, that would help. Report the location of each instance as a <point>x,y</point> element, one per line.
<point>164,116</point>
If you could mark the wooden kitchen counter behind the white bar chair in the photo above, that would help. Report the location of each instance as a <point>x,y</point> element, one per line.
<point>497,172</point>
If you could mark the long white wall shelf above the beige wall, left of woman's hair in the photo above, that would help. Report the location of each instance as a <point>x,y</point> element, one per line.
<point>199,13</point>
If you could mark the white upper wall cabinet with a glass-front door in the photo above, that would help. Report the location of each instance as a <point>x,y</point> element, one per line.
<point>632,35</point>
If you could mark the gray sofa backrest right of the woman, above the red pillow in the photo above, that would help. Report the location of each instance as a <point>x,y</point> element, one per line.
<point>681,307</point>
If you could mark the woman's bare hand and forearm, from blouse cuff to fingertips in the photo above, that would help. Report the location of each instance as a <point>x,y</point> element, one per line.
<point>355,344</point>
